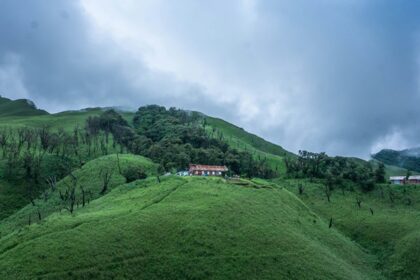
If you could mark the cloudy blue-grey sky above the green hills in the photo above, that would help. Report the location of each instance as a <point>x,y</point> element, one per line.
<point>337,76</point>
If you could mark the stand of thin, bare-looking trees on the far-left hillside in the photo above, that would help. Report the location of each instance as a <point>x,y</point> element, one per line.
<point>36,156</point>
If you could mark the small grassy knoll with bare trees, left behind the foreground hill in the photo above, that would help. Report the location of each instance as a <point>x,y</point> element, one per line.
<point>87,180</point>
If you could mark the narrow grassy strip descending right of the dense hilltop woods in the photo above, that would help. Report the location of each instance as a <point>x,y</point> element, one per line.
<point>242,140</point>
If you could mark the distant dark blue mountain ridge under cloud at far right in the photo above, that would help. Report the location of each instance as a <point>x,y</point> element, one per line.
<point>407,159</point>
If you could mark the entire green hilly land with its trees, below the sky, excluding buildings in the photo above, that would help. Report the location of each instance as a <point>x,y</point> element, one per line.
<point>102,209</point>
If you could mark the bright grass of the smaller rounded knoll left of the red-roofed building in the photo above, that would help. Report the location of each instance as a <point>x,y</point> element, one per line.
<point>89,177</point>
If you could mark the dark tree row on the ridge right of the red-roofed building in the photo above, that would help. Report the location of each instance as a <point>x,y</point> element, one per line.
<point>335,170</point>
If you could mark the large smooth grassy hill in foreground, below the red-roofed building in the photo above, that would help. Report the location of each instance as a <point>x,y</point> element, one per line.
<point>188,228</point>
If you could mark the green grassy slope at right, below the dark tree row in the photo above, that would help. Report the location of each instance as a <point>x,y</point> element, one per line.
<point>392,232</point>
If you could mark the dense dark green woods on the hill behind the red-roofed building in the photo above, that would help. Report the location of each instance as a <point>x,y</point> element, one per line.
<point>175,138</point>
